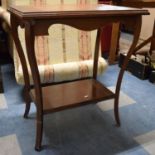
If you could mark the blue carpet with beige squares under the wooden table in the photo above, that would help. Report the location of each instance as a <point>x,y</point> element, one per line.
<point>87,130</point>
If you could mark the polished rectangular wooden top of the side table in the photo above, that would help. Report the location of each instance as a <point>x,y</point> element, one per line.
<point>56,11</point>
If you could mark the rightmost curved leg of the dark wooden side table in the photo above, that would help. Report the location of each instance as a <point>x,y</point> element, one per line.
<point>136,29</point>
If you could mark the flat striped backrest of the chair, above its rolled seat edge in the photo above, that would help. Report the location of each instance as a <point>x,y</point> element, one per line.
<point>64,43</point>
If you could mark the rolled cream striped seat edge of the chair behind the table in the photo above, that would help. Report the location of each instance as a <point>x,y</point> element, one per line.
<point>64,71</point>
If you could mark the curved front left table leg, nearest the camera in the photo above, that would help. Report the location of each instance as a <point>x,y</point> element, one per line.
<point>29,37</point>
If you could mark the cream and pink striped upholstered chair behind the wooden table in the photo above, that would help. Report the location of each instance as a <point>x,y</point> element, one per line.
<point>66,54</point>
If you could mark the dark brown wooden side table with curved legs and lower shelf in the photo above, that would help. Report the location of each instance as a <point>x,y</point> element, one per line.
<point>36,21</point>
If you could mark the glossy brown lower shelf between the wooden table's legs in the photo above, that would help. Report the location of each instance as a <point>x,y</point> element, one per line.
<point>73,94</point>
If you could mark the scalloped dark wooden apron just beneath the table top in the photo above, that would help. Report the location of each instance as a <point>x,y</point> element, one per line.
<point>41,26</point>
